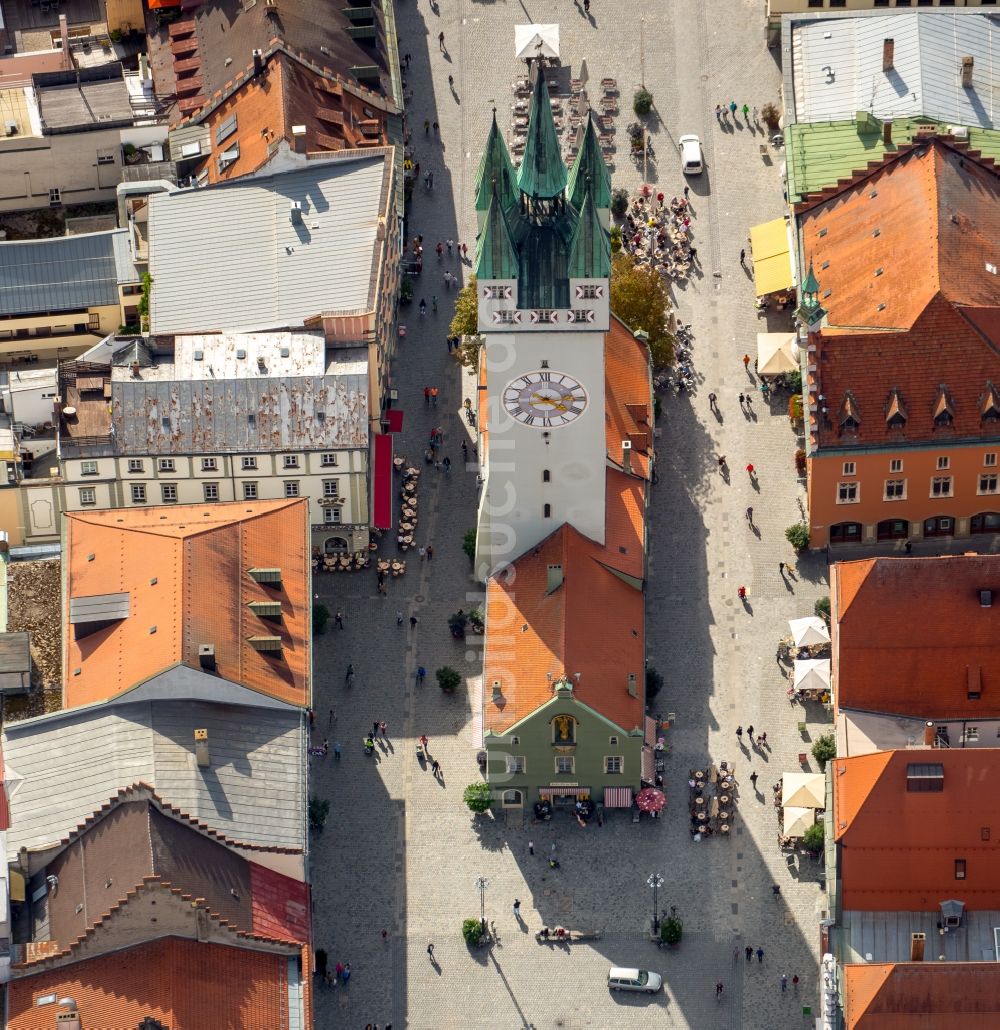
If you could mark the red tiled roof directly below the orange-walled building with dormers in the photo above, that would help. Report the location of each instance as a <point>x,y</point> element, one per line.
<point>911,636</point>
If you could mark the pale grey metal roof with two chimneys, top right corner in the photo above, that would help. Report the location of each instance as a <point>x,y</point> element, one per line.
<point>838,67</point>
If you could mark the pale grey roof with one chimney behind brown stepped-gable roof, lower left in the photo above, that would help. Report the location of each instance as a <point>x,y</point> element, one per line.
<point>64,767</point>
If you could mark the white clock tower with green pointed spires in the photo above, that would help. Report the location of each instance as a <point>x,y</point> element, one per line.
<point>543,268</point>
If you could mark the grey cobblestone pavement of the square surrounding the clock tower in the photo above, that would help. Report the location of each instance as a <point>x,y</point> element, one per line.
<point>400,851</point>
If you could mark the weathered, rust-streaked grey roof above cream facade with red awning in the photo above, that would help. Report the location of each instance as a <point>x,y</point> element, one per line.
<point>239,416</point>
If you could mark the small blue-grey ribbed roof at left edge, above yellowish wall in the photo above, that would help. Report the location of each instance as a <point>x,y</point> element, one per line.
<point>68,273</point>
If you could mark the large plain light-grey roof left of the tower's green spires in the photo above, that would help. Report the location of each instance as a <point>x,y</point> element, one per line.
<point>228,258</point>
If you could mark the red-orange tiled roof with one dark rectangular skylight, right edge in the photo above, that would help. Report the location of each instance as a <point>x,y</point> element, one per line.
<point>899,847</point>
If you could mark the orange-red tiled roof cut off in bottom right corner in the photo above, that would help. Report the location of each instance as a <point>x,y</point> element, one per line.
<point>905,995</point>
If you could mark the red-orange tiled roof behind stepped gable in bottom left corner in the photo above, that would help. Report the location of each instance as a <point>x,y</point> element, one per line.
<point>184,984</point>
